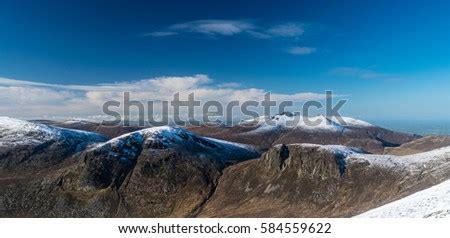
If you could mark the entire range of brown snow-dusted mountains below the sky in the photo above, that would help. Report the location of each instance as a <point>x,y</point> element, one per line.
<point>267,167</point>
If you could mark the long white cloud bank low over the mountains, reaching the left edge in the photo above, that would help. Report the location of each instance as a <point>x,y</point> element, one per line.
<point>31,99</point>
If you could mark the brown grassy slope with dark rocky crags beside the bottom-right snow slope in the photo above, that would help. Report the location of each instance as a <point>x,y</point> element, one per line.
<point>305,180</point>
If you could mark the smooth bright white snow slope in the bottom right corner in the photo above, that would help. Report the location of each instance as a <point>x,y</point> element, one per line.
<point>433,202</point>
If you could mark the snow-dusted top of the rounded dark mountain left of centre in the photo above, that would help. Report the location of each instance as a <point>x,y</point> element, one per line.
<point>110,161</point>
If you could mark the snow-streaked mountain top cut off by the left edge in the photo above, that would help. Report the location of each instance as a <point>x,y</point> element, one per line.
<point>25,144</point>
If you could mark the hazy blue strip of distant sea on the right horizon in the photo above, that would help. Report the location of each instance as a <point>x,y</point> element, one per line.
<point>421,127</point>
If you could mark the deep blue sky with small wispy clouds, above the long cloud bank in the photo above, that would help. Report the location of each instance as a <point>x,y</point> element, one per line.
<point>390,58</point>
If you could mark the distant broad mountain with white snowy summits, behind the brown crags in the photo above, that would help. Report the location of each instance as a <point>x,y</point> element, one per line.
<point>286,128</point>
